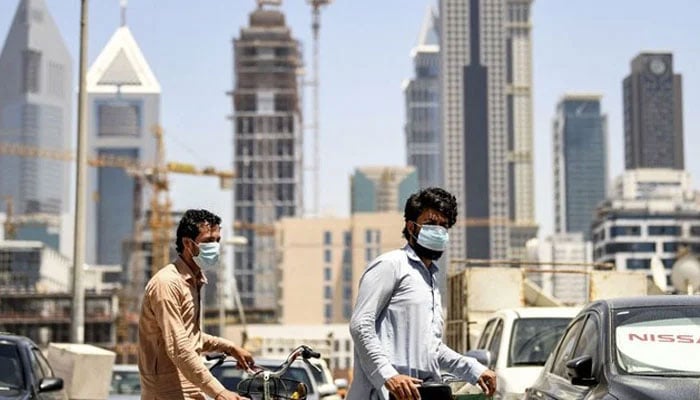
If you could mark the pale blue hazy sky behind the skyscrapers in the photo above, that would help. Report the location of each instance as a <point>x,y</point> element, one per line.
<point>365,46</point>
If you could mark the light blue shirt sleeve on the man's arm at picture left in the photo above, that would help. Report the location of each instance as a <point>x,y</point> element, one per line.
<point>376,288</point>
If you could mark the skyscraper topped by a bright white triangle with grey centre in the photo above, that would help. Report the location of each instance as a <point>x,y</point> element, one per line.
<point>123,109</point>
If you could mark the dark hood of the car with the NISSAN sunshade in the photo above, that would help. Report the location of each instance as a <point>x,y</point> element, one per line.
<point>654,387</point>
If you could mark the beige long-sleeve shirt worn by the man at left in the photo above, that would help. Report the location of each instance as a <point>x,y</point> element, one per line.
<point>171,340</point>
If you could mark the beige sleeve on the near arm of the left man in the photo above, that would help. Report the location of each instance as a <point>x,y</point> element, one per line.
<point>178,345</point>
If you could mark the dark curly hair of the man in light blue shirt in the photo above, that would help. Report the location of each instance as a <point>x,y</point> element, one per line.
<point>434,198</point>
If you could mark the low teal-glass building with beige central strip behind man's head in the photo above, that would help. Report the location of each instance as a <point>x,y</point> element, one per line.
<point>382,189</point>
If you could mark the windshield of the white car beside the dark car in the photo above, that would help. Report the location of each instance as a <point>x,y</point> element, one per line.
<point>533,339</point>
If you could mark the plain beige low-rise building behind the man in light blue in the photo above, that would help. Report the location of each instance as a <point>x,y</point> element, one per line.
<point>334,251</point>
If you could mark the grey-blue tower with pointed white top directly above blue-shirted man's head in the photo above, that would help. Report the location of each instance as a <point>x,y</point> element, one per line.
<point>422,93</point>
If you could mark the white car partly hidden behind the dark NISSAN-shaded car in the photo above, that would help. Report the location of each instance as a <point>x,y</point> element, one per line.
<point>515,343</point>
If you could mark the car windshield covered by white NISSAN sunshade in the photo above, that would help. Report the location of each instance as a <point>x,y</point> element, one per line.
<point>658,340</point>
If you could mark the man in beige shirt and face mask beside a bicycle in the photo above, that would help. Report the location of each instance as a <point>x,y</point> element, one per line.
<point>170,337</point>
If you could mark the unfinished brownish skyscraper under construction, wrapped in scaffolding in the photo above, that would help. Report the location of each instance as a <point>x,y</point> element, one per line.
<point>267,146</point>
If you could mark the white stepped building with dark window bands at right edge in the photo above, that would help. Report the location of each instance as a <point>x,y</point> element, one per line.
<point>650,214</point>
